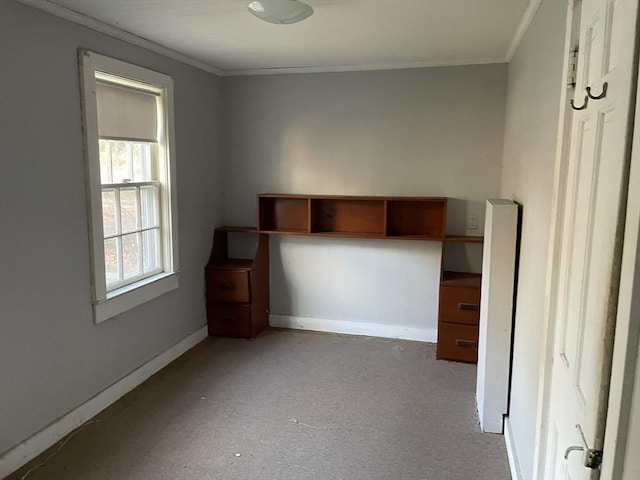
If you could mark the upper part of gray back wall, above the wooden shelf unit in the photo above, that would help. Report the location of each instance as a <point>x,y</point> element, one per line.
<point>430,131</point>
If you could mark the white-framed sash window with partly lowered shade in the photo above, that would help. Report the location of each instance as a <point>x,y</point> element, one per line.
<point>131,182</point>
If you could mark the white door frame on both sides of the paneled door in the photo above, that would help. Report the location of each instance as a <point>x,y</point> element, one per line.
<point>627,335</point>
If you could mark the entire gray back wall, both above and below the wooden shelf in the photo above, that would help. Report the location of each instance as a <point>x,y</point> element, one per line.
<point>431,132</point>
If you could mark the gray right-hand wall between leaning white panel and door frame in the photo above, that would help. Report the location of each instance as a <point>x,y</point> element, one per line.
<point>533,99</point>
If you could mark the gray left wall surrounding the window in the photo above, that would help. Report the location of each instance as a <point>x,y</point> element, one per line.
<point>52,356</point>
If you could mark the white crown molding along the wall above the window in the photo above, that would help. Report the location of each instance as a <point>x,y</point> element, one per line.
<point>98,26</point>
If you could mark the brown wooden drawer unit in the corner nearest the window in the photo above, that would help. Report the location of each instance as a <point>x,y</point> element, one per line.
<point>237,290</point>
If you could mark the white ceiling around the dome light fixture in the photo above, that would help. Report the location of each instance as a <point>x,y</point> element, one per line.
<point>341,35</point>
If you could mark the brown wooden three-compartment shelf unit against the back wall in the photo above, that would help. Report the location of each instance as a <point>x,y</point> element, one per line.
<point>409,218</point>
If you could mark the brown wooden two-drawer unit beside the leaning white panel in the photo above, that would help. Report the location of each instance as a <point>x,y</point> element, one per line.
<point>459,317</point>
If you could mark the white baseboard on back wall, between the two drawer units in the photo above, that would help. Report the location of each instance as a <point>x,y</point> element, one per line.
<point>354,328</point>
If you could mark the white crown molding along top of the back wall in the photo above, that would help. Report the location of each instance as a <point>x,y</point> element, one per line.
<point>360,67</point>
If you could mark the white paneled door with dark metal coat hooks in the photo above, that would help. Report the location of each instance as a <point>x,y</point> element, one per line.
<point>590,243</point>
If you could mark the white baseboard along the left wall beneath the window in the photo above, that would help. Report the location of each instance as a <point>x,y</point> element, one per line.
<point>48,436</point>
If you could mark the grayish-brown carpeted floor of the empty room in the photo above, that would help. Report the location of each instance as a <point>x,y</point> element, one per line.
<point>290,405</point>
